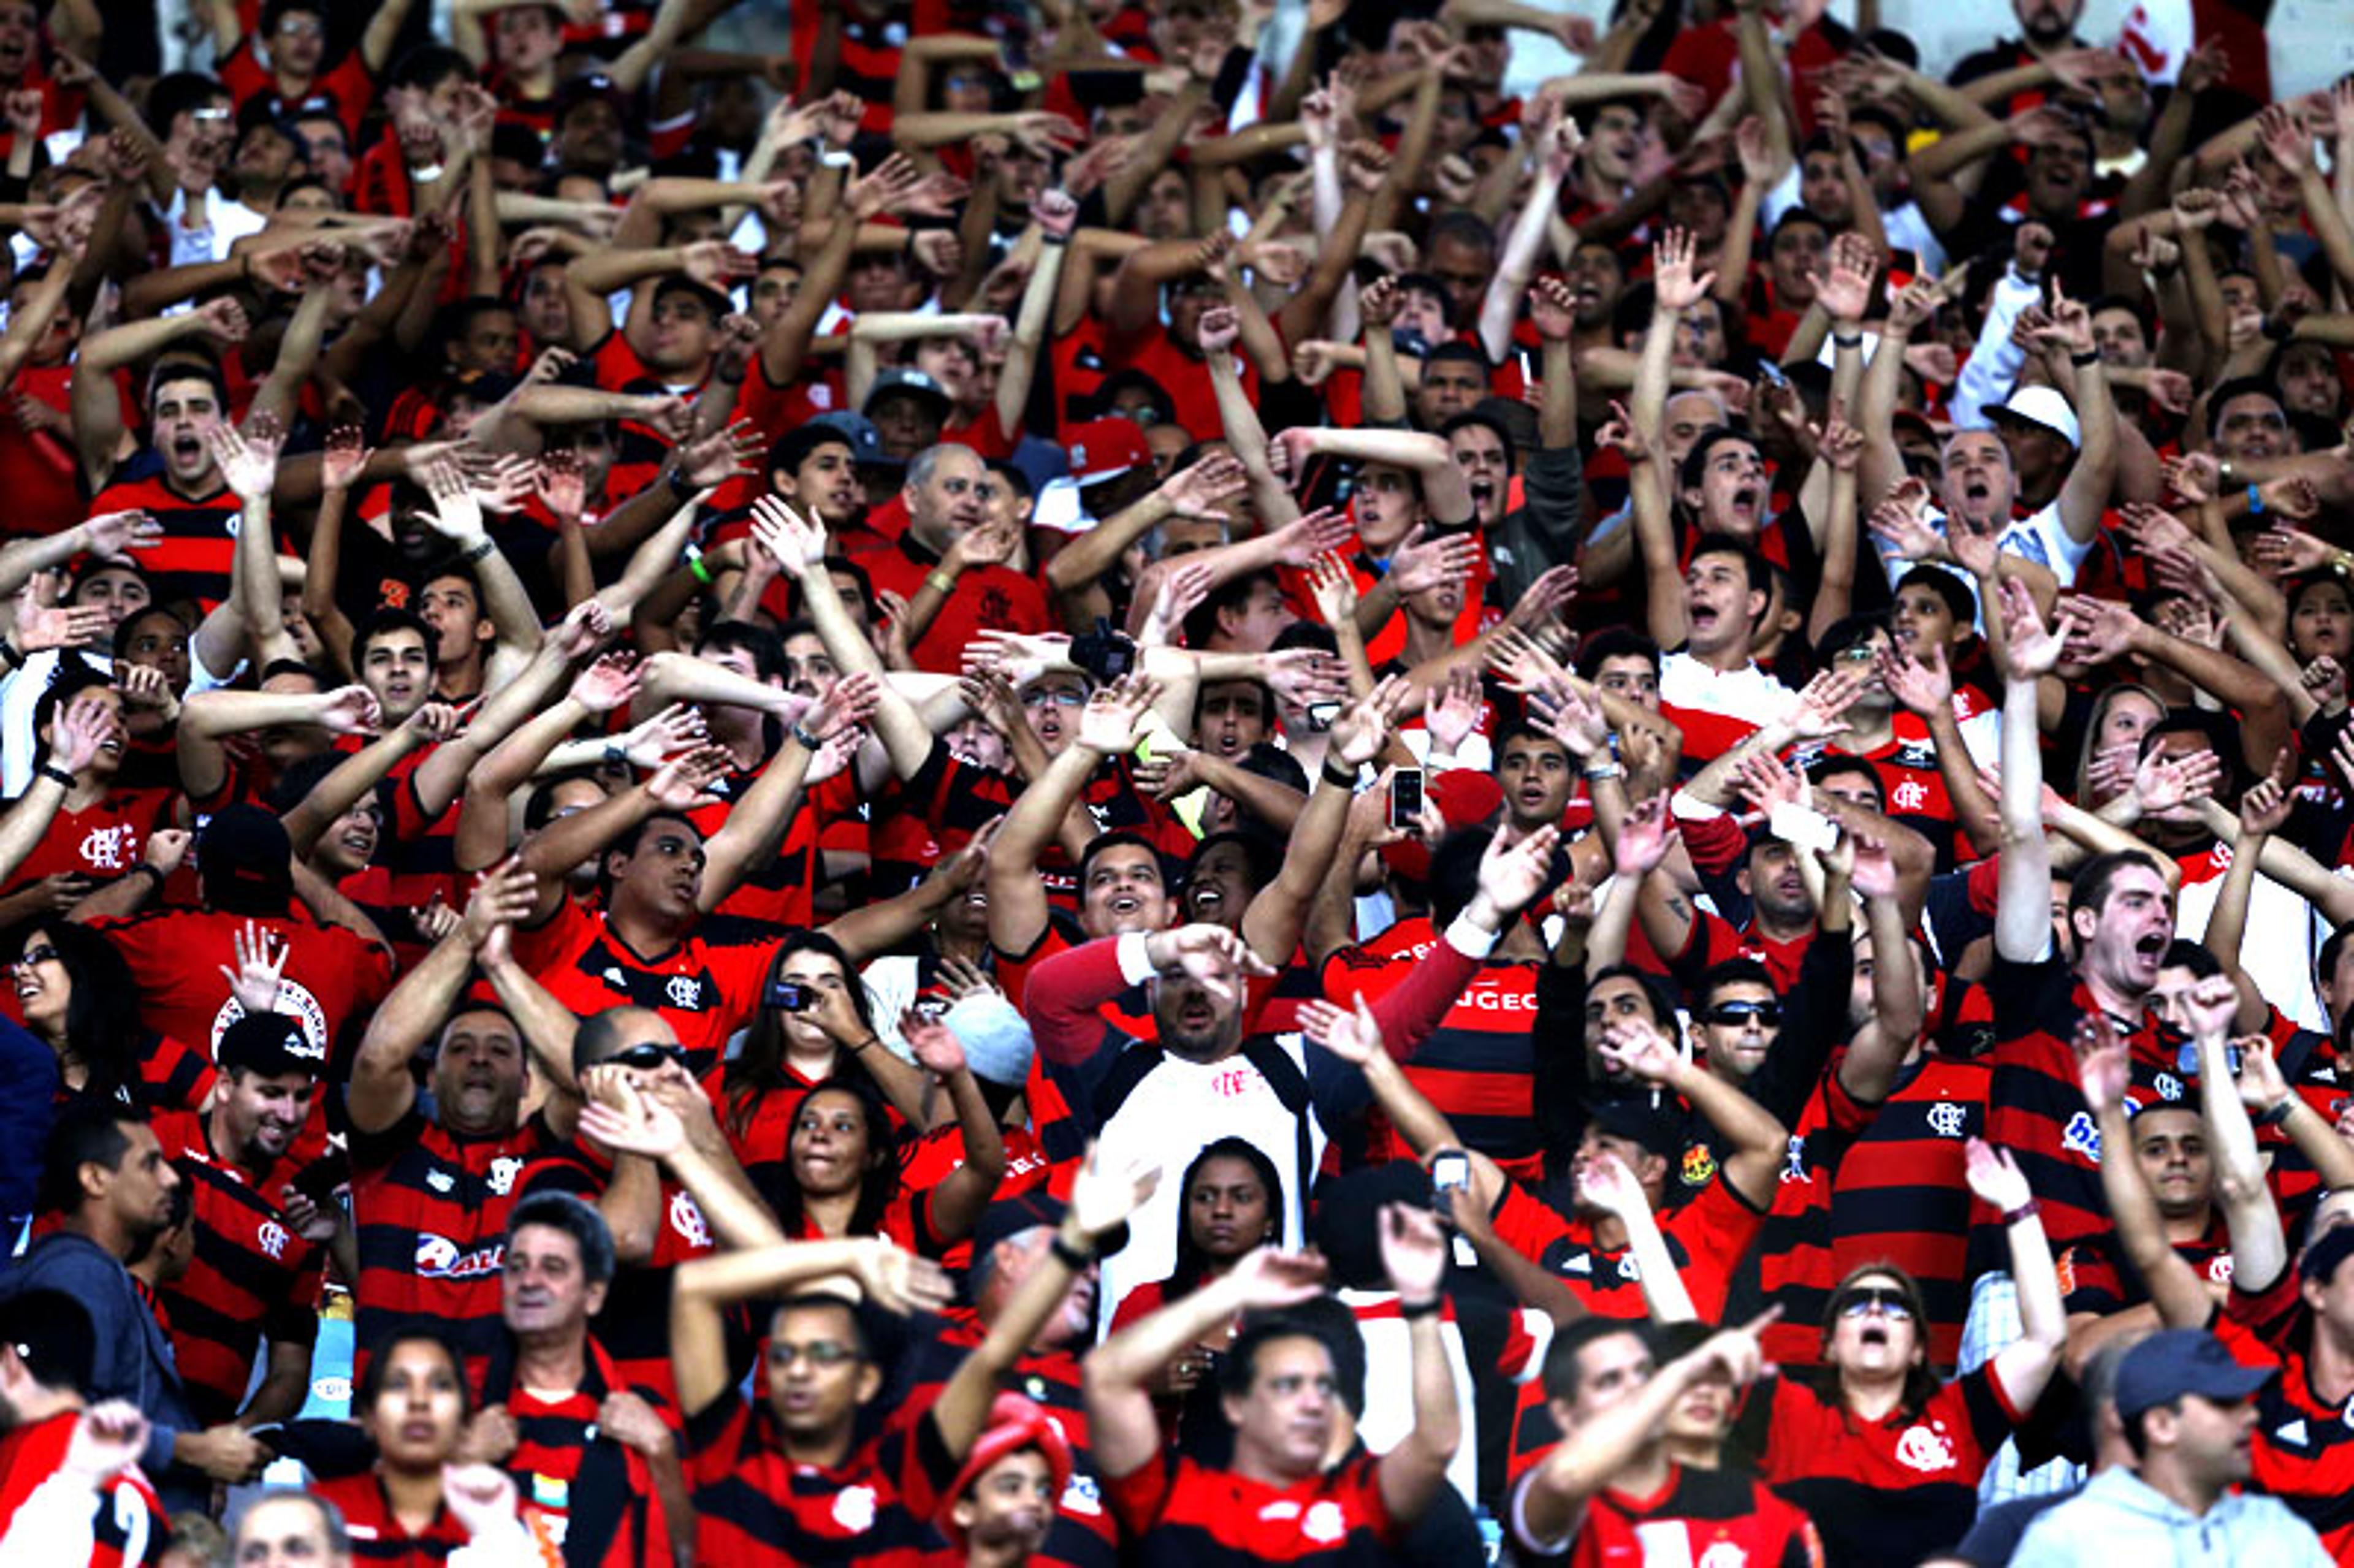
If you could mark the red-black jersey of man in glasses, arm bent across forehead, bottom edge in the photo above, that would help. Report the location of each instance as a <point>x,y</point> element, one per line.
<point>754,1506</point>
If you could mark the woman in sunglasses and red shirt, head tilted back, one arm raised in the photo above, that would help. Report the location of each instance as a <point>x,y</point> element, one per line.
<point>1882,1454</point>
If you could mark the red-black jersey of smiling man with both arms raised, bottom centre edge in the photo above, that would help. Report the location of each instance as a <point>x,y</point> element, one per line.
<point>1185,1515</point>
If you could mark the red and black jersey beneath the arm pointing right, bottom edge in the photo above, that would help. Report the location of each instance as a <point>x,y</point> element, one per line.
<point>1696,1517</point>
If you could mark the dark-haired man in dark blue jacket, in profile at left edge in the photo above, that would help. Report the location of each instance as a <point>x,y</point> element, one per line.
<point>107,1176</point>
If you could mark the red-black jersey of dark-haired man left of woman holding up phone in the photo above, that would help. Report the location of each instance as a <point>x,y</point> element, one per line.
<point>700,990</point>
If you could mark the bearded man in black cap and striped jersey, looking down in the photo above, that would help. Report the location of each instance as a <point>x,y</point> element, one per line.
<point>255,1273</point>
